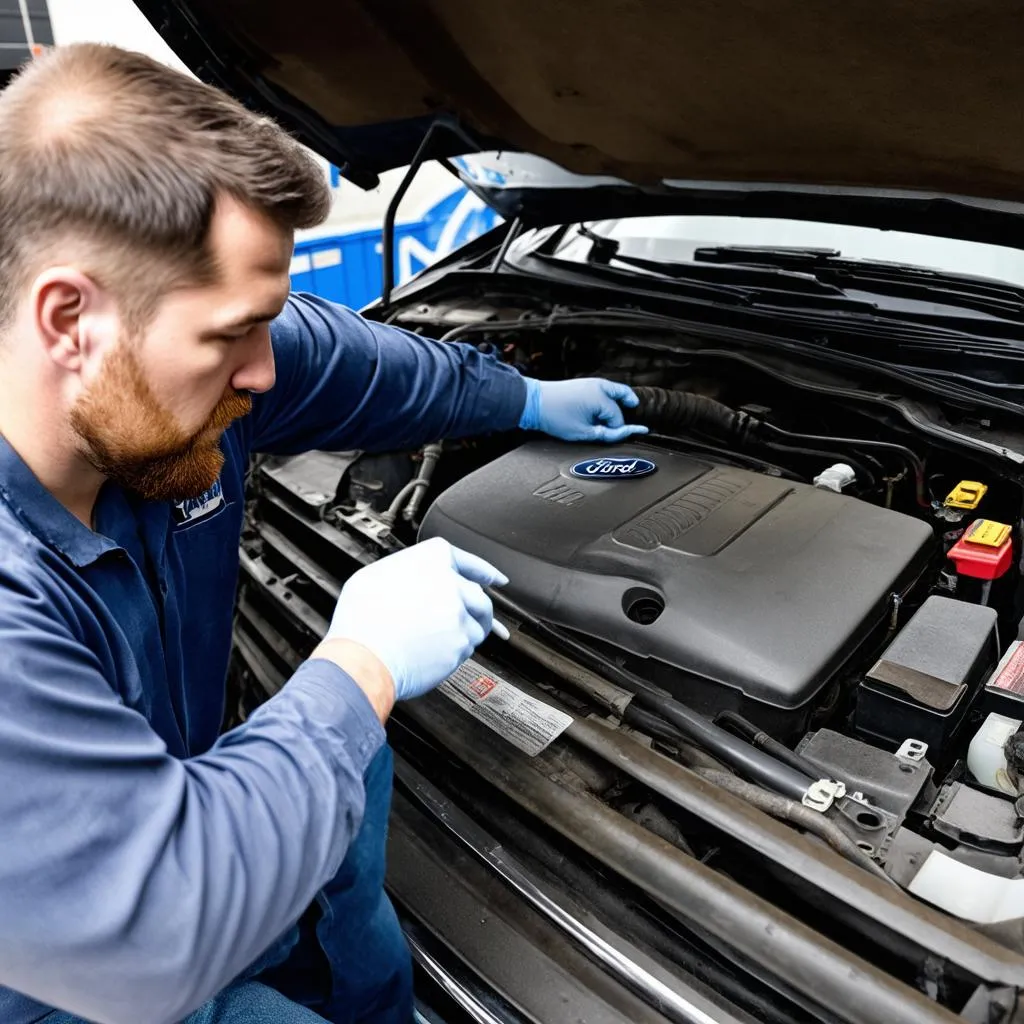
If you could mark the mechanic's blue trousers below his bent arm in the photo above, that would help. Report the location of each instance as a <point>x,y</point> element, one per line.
<point>347,962</point>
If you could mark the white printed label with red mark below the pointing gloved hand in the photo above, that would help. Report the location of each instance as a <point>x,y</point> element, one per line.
<point>524,721</point>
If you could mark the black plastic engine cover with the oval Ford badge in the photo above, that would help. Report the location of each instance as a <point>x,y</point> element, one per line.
<point>753,589</point>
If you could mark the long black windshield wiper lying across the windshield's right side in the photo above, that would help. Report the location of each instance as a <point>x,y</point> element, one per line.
<point>983,295</point>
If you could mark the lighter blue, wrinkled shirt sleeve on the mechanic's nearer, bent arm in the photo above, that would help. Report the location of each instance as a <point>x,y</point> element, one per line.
<point>136,886</point>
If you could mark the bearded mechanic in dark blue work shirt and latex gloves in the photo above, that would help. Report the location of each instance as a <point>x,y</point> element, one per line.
<point>151,869</point>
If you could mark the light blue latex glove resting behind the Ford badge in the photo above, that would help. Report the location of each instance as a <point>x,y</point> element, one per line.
<point>584,410</point>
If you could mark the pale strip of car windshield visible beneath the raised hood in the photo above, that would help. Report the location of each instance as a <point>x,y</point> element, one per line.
<point>672,239</point>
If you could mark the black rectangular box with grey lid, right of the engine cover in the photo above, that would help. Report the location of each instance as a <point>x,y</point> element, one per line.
<point>924,685</point>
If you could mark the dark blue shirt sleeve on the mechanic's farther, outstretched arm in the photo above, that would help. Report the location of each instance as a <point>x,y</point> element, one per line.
<point>348,383</point>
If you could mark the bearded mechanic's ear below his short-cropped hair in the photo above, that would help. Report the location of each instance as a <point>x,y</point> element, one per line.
<point>73,318</point>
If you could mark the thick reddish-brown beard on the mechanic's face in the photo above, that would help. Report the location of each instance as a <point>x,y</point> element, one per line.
<point>129,437</point>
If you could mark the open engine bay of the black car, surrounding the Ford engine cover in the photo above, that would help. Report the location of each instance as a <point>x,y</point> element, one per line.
<point>802,587</point>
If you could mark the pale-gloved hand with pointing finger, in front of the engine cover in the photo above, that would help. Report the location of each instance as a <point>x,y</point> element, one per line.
<point>422,612</point>
